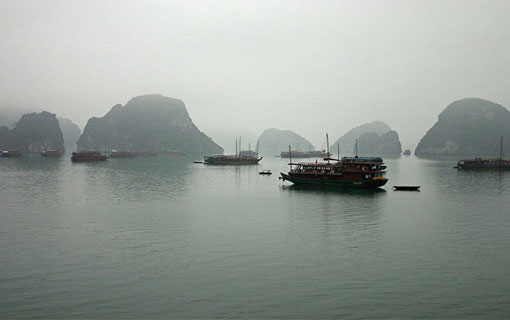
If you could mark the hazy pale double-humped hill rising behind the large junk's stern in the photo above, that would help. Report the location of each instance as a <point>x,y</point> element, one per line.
<point>374,139</point>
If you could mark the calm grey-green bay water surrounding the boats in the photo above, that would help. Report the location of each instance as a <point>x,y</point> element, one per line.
<point>163,237</point>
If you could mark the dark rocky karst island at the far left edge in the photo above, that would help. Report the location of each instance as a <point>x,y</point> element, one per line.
<point>34,132</point>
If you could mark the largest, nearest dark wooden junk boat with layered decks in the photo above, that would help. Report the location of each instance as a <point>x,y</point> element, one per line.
<point>357,172</point>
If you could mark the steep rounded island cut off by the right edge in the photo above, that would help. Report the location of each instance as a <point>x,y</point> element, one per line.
<point>469,126</point>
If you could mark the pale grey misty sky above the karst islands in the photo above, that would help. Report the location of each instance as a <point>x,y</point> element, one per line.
<point>308,66</point>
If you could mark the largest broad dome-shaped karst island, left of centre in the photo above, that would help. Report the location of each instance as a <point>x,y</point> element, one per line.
<point>149,122</point>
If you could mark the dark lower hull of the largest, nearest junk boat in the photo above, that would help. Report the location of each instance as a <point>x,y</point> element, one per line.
<point>323,181</point>
